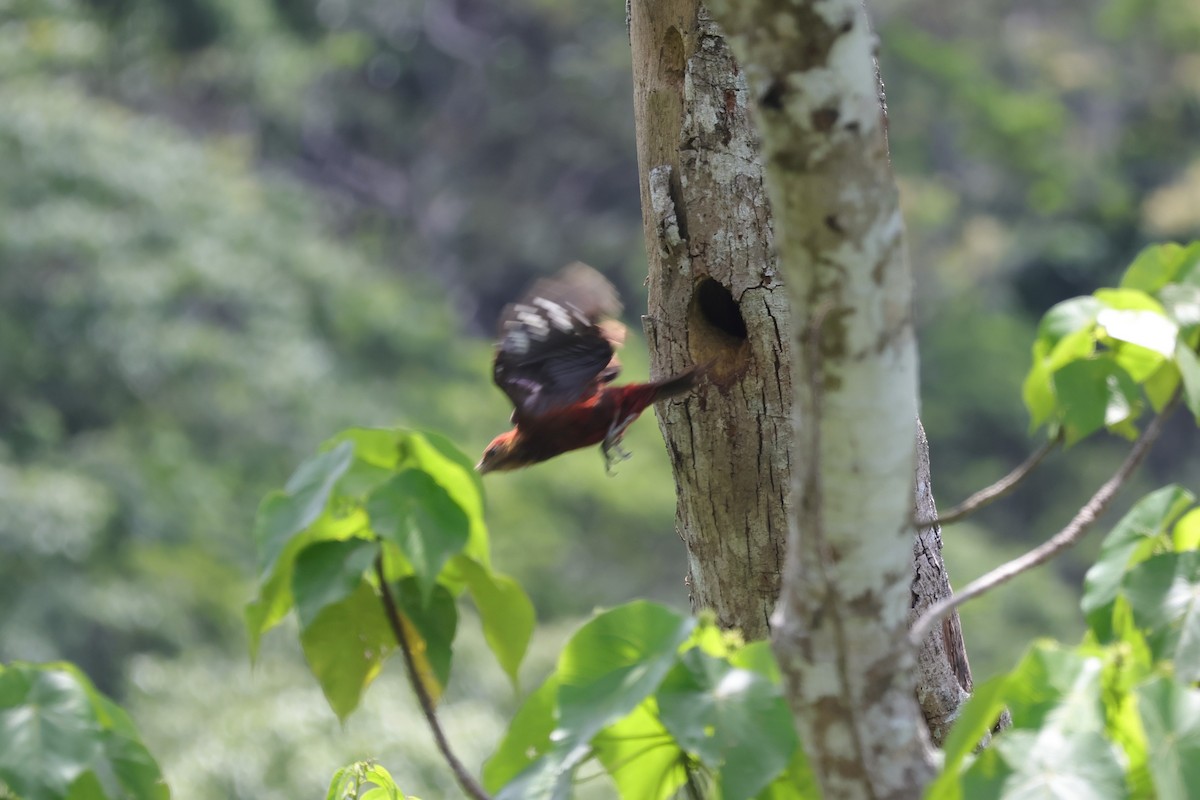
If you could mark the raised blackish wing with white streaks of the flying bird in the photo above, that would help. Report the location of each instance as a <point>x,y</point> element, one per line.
<point>557,344</point>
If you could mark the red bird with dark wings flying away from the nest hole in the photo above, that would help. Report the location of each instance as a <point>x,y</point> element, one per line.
<point>556,362</point>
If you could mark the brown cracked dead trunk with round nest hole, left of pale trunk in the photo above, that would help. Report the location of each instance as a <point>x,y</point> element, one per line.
<point>715,298</point>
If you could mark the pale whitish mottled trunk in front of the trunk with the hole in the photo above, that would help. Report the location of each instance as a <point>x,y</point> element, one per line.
<point>841,629</point>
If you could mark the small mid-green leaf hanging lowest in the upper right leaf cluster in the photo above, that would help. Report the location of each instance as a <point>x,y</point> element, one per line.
<point>1094,394</point>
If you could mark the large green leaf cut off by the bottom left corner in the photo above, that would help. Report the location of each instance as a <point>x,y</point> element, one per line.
<point>61,738</point>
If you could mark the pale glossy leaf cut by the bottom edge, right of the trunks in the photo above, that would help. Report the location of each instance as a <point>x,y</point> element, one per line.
<point>1048,765</point>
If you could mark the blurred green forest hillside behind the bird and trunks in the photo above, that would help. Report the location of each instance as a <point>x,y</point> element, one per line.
<point>231,228</point>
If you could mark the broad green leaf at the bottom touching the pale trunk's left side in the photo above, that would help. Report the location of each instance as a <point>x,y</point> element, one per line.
<point>735,720</point>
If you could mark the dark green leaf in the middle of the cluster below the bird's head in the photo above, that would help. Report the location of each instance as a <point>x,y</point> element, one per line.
<point>416,513</point>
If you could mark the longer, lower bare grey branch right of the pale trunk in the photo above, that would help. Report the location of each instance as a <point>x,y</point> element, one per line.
<point>1057,544</point>
